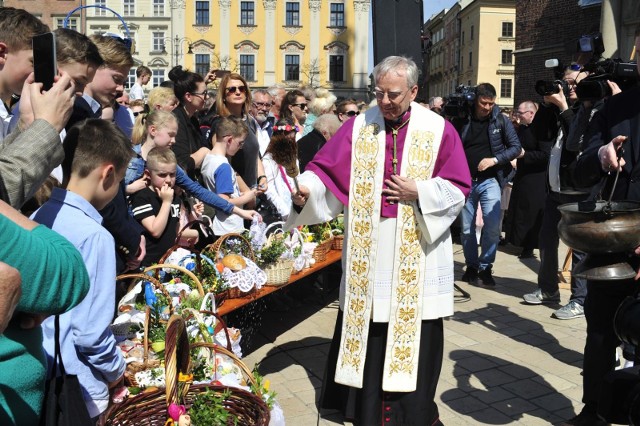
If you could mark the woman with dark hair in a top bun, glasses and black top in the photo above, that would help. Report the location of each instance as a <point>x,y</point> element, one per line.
<point>190,147</point>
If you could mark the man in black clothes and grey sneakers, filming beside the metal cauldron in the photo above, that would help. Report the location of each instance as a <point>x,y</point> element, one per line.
<point>554,122</point>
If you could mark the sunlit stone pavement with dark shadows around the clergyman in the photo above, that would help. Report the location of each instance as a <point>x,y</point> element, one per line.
<point>505,362</point>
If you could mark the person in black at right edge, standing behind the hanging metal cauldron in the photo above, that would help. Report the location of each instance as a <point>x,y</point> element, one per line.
<point>615,127</point>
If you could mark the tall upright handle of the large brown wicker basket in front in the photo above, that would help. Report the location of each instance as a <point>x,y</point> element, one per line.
<point>176,356</point>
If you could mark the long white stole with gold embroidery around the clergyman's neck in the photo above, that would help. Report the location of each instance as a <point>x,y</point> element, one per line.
<point>367,162</point>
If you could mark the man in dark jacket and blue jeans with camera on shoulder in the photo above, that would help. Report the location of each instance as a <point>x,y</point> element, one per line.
<point>490,143</point>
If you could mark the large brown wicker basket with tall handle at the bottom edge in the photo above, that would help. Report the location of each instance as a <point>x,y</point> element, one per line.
<point>151,408</point>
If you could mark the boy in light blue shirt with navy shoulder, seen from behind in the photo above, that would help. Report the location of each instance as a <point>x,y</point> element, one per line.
<point>96,158</point>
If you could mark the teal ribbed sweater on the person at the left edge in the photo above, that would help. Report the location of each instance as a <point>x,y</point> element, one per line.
<point>54,280</point>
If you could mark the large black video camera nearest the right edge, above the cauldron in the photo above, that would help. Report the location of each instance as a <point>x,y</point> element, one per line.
<point>594,86</point>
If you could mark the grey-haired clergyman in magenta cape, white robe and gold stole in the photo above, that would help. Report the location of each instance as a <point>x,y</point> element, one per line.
<point>399,174</point>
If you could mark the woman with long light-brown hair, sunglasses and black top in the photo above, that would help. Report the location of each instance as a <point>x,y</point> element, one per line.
<point>234,99</point>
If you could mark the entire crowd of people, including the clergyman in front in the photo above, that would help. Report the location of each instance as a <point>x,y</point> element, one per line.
<point>110,177</point>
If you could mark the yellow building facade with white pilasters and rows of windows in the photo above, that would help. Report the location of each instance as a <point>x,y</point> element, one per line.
<point>314,42</point>
